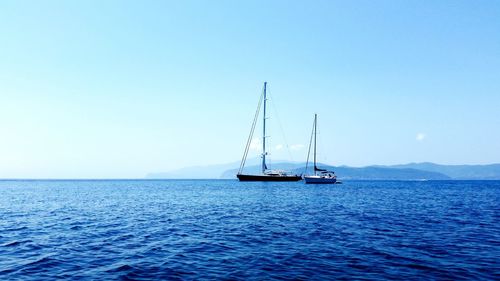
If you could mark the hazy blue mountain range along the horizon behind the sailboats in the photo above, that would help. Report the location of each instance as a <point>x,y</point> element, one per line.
<point>411,171</point>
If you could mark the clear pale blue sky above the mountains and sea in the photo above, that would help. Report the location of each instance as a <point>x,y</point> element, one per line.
<point>111,89</point>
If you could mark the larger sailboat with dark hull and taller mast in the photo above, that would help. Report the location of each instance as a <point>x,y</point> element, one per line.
<point>266,174</point>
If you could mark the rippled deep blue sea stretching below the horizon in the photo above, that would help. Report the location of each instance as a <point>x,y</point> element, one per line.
<point>224,229</point>
